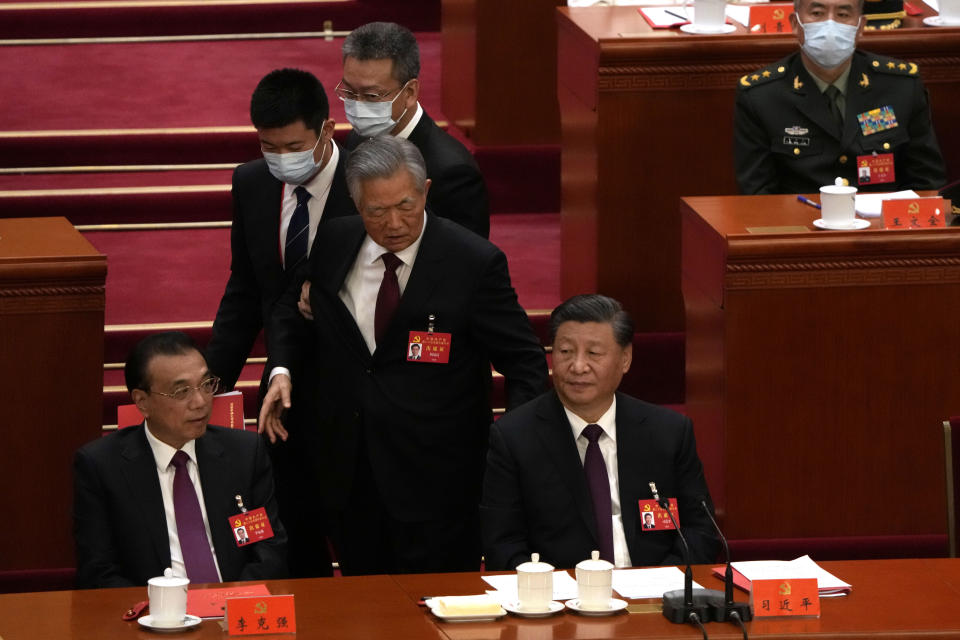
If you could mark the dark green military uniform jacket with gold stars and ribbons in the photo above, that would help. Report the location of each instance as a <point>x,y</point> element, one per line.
<point>786,140</point>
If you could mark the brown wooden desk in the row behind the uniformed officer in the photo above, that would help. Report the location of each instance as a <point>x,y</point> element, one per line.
<point>647,117</point>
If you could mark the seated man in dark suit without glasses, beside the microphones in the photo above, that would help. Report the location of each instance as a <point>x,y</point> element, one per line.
<point>569,472</point>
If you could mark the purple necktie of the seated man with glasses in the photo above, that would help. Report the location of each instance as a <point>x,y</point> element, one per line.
<point>194,544</point>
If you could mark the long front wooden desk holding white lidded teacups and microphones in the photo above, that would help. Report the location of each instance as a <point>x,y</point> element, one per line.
<point>890,599</point>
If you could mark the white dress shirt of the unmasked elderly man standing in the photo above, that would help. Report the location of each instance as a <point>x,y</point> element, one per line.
<point>362,284</point>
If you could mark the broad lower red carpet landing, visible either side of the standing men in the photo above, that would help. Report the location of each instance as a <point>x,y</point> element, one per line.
<point>179,276</point>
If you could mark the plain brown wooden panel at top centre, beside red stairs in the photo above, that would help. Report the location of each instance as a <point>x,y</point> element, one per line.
<point>500,70</point>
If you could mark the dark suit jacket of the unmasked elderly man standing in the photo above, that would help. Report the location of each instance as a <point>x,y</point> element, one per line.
<point>424,426</point>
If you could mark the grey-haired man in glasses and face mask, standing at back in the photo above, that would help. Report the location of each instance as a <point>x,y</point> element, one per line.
<point>380,90</point>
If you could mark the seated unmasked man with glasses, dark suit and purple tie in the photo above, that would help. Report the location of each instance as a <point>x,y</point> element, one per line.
<point>167,493</point>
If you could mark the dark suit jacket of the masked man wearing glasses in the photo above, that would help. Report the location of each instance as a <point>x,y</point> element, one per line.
<point>458,191</point>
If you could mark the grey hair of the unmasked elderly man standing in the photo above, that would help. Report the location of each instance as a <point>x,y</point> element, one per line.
<point>382,157</point>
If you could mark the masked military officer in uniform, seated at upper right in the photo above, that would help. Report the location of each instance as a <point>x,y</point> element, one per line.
<point>829,109</point>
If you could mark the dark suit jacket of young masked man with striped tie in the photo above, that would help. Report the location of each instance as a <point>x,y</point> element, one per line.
<point>257,278</point>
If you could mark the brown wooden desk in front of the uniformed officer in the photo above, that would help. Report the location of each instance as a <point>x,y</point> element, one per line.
<point>820,366</point>
